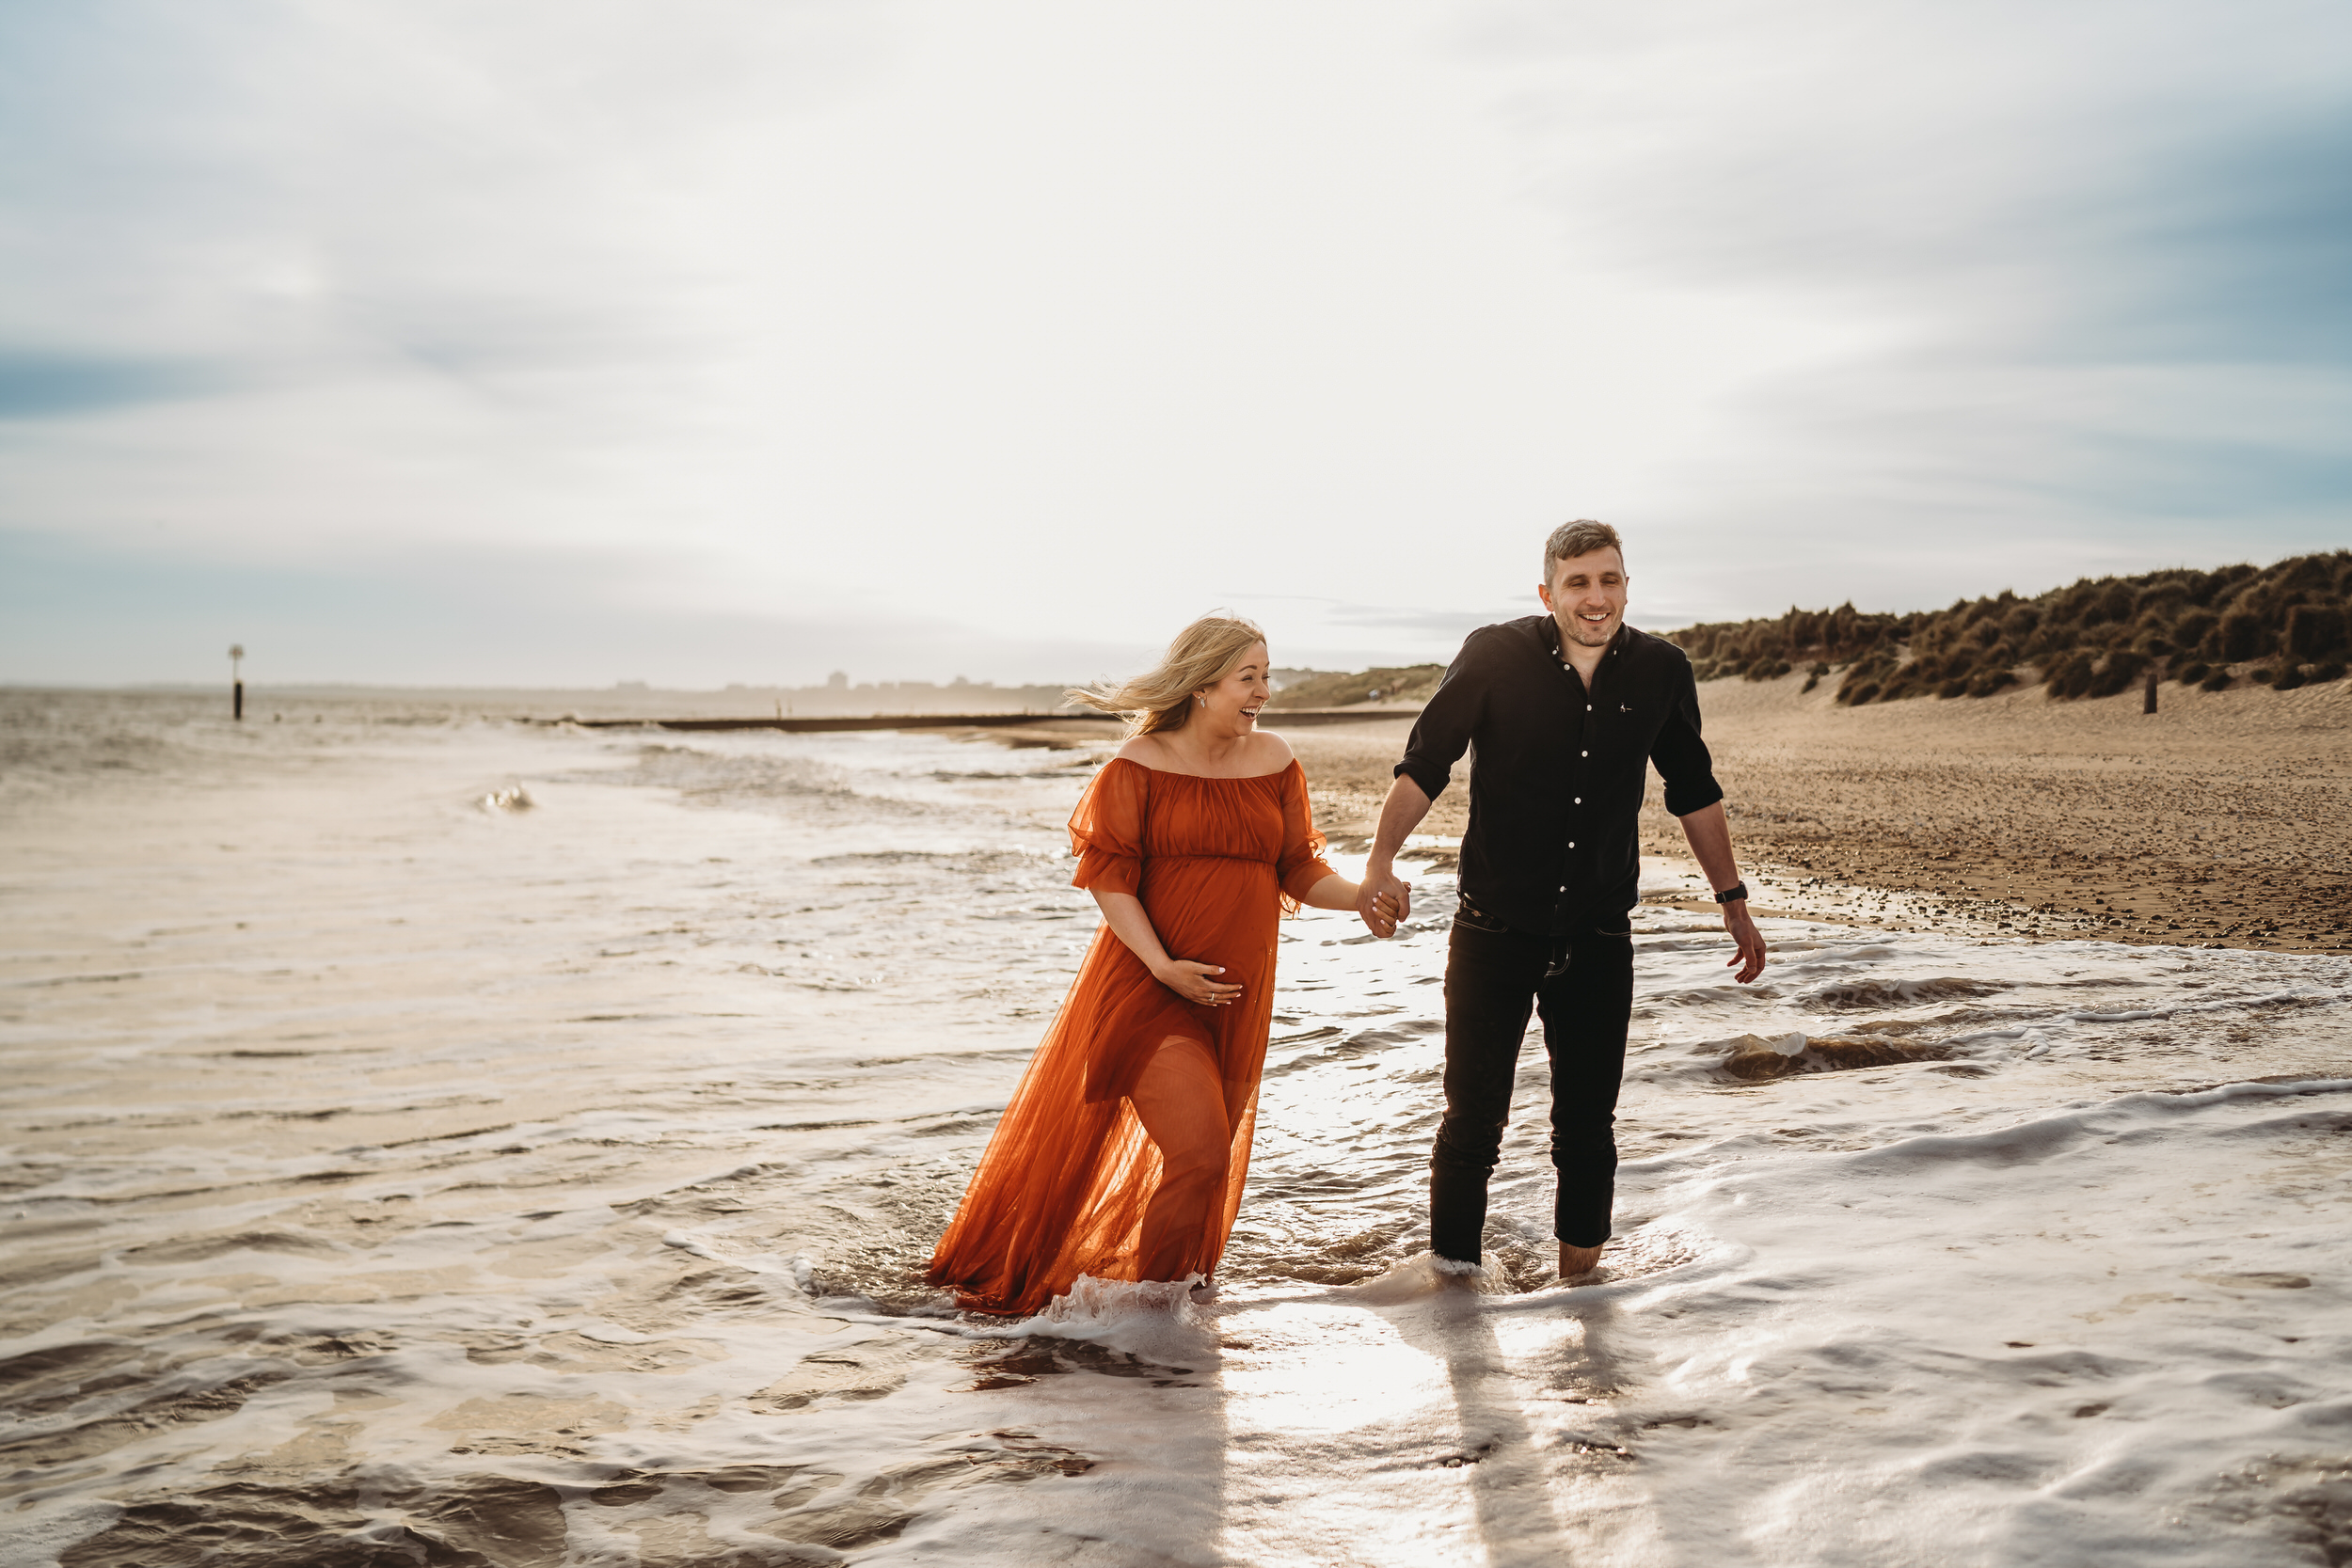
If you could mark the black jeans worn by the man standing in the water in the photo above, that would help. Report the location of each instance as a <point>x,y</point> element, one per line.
<point>1492,979</point>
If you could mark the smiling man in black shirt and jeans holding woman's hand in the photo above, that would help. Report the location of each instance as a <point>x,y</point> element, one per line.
<point>1565,713</point>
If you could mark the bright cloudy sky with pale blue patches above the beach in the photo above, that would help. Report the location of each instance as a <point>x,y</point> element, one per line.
<point>707,342</point>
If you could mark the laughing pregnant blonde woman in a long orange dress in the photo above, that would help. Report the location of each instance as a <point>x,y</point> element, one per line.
<point>1123,1151</point>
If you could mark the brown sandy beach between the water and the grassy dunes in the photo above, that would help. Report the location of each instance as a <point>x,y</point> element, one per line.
<point>2219,819</point>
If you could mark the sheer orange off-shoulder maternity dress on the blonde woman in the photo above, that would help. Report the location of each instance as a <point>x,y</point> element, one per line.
<point>1069,1172</point>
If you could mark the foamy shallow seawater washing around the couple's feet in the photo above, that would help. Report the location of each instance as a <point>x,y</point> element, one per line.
<point>439,1141</point>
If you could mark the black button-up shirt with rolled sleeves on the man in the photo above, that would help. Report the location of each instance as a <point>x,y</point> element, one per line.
<point>1558,772</point>
